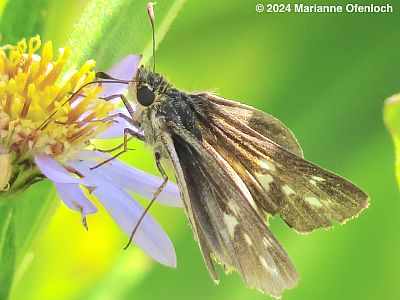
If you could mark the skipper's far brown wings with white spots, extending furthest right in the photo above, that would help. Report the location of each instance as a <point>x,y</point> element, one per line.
<point>304,195</point>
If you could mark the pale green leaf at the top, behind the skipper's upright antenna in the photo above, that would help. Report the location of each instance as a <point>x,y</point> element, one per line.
<point>121,28</point>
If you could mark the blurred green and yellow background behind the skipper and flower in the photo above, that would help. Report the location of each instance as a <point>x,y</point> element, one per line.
<point>326,77</point>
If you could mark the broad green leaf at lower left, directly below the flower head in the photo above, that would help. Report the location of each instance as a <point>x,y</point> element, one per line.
<point>29,213</point>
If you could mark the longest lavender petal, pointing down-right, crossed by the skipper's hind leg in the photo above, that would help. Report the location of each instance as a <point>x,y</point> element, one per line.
<point>126,211</point>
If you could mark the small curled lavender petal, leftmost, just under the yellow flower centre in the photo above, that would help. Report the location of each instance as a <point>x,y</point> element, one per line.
<point>52,170</point>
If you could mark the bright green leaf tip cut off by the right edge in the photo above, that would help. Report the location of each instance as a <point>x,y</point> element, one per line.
<point>391,115</point>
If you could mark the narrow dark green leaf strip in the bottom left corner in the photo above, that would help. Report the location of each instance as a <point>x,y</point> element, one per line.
<point>7,250</point>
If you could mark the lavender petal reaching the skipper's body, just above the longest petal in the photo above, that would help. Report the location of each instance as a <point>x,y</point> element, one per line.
<point>132,179</point>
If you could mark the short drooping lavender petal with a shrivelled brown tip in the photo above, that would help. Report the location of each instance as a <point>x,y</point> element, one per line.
<point>75,199</point>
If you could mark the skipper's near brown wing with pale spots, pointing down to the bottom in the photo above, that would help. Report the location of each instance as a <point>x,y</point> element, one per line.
<point>228,227</point>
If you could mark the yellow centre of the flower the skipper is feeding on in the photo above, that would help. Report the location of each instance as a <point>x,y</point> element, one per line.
<point>31,91</point>
